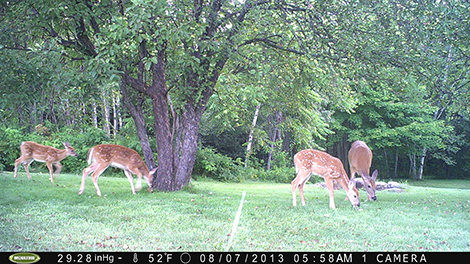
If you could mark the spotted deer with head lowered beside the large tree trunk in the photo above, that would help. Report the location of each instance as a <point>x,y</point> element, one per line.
<point>102,156</point>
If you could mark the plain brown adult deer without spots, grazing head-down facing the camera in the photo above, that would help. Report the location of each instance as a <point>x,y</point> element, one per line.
<point>360,159</point>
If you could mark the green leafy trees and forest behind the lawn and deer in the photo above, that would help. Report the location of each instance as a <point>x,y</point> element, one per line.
<point>246,83</point>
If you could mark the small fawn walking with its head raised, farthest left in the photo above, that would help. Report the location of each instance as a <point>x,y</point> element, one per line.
<point>32,151</point>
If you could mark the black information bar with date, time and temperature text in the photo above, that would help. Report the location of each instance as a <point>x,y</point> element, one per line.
<point>234,257</point>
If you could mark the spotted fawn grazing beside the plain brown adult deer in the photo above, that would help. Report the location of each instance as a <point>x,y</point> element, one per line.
<point>310,162</point>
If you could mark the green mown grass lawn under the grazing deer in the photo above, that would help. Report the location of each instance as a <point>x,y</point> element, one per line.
<point>36,215</point>
